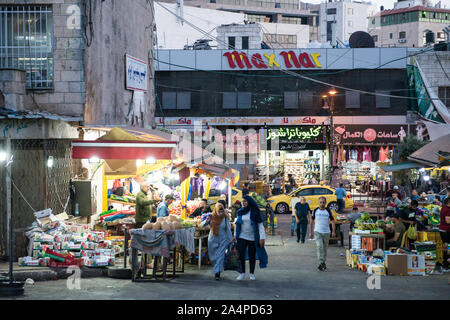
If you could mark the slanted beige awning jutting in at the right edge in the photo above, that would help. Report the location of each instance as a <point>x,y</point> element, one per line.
<point>430,154</point>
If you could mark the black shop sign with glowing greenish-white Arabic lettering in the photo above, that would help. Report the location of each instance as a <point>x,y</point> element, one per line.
<point>298,137</point>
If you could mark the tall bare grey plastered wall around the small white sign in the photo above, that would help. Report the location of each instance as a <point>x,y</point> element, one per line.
<point>119,28</point>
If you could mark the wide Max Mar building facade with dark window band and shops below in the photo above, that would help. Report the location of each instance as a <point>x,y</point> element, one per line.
<point>261,95</point>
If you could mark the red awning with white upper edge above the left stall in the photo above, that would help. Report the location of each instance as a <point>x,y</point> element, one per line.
<point>123,150</point>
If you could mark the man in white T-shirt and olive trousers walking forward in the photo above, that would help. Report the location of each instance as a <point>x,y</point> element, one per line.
<point>321,219</point>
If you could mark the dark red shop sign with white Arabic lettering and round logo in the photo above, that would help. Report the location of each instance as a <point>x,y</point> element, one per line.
<point>363,134</point>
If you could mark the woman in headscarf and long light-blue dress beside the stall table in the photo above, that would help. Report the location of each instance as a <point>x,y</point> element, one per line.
<point>219,236</point>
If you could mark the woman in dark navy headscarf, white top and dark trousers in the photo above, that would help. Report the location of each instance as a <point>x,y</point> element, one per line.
<point>250,236</point>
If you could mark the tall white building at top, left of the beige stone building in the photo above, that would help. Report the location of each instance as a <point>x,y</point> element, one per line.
<point>340,18</point>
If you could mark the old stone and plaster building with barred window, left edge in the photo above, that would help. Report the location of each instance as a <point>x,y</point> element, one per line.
<point>62,70</point>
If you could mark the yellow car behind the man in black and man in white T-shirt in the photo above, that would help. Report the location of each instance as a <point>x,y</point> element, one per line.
<point>281,203</point>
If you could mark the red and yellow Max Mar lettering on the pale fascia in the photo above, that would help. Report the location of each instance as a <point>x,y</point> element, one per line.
<point>284,59</point>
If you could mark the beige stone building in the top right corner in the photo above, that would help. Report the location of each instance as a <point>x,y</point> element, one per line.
<point>408,26</point>
